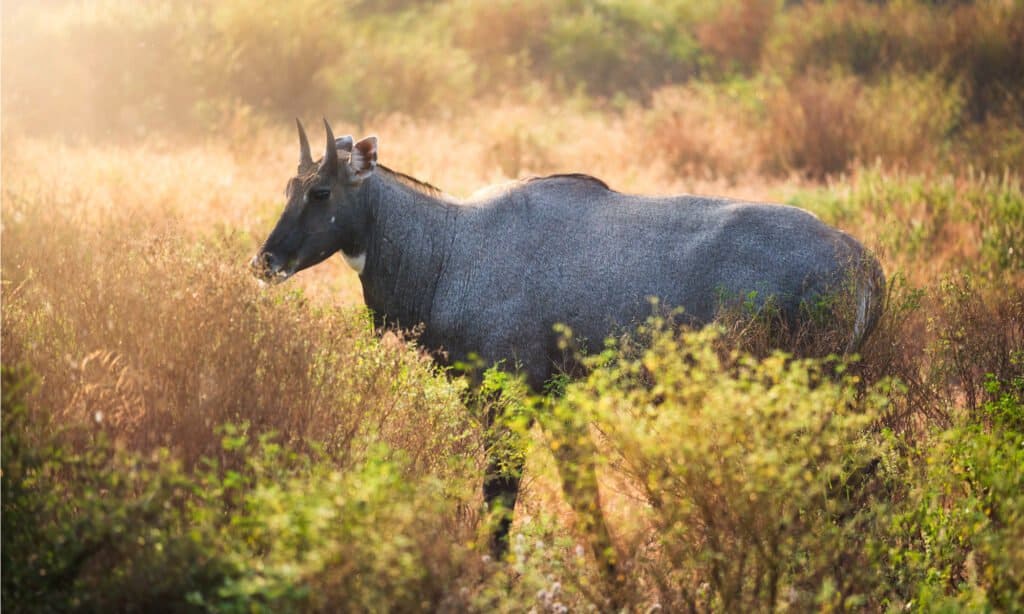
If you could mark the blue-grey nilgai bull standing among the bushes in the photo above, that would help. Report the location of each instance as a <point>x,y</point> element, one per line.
<point>493,276</point>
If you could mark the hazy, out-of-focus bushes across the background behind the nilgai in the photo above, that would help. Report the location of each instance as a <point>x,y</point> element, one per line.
<point>913,83</point>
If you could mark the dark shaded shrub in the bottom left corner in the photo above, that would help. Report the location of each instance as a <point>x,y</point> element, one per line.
<point>93,529</point>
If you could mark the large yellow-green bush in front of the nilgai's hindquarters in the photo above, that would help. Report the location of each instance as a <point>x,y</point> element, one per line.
<point>756,473</point>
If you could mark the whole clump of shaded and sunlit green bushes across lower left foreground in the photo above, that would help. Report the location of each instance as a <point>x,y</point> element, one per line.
<point>108,530</point>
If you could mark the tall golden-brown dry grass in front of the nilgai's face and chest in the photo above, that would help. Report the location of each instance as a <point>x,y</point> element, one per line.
<point>127,293</point>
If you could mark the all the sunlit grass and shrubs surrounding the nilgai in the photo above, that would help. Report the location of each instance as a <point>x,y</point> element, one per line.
<point>176,436</point>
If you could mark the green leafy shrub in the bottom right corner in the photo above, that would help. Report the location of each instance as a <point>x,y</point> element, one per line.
<point>958,541</point>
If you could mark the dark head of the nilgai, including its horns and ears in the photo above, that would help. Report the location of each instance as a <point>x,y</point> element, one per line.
<point>323,215</point>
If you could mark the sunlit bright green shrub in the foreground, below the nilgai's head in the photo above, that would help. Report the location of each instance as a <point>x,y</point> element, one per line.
<point>374,537</point>
